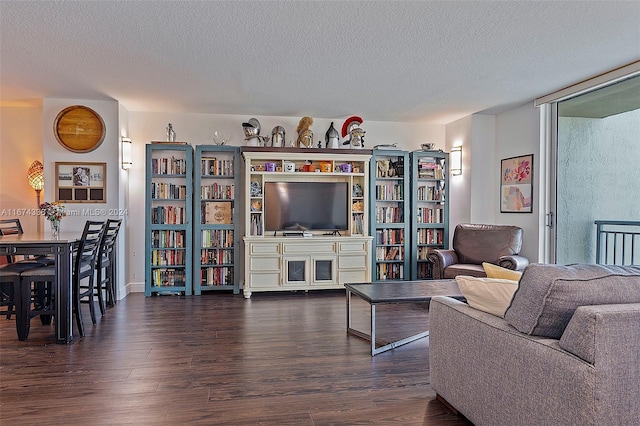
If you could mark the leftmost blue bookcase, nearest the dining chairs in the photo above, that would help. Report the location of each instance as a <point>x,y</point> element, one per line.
<point>168,218</point>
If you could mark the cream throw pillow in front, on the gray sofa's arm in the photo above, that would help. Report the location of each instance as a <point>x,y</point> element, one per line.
<point>491,295</point>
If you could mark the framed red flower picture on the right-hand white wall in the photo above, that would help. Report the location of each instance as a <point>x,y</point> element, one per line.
<point>516,184</point>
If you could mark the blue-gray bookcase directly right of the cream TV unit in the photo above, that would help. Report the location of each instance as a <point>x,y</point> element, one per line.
<point>389,208</point>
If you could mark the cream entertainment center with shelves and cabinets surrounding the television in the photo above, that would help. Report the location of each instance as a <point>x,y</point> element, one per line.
<point>315,261</point>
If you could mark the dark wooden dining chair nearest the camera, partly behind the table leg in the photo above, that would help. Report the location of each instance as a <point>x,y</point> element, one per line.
<point>40,280</point>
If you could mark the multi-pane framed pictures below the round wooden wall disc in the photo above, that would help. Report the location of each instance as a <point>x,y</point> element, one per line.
<point>81,182</point>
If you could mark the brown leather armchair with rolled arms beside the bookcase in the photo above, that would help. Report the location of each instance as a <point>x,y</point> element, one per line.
<point>474,244</point>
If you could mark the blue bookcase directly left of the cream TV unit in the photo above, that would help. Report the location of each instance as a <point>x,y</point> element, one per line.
<point>216,218</point>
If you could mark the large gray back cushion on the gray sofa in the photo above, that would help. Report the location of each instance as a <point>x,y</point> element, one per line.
<point>548,295</point>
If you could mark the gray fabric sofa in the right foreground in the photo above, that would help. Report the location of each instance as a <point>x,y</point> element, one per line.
<point>567,351</point>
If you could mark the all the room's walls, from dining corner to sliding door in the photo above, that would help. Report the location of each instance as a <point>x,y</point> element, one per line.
<point>27,135</point>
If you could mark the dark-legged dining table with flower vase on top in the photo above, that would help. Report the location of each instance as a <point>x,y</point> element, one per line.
<point>60,248</point>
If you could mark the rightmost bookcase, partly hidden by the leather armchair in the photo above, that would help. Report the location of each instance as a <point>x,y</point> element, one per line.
<point>429,208</point>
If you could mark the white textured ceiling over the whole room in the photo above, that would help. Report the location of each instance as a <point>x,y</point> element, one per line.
<point>433,61</point>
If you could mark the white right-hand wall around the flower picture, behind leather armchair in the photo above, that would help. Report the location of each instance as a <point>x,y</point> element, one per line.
<point>485,140</point>
